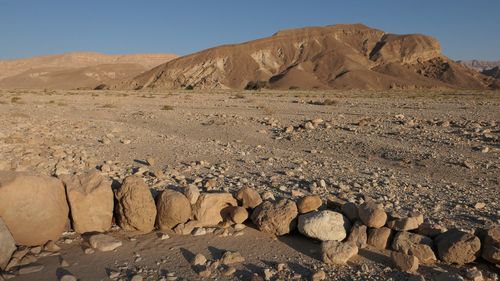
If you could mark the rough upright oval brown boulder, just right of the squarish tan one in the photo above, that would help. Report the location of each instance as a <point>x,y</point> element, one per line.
<point>136,209</point>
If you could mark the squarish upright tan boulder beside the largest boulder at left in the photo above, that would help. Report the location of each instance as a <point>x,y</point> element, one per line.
<point>90,200</point>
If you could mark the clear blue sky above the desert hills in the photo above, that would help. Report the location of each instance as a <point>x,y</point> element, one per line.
<point>466,28</point>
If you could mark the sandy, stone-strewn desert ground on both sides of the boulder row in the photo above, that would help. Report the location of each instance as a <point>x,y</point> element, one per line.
<point>437,153</point>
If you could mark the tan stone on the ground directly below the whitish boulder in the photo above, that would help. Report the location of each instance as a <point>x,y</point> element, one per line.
<point>337,253</point>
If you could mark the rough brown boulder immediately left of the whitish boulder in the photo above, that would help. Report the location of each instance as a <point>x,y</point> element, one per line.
<point>276,218</point>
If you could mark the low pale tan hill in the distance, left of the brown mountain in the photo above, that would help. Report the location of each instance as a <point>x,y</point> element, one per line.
<point>75,70</point>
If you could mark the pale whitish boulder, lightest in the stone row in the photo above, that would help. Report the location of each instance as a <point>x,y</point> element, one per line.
<point>324,225</point>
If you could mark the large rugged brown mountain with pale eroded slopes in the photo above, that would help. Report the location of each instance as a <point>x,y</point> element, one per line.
<point>330,57</point>
